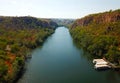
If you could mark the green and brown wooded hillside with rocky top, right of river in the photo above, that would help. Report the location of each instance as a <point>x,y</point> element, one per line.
<point>99,34</point>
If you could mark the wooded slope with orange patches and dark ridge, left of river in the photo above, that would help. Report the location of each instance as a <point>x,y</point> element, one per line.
<point>18,36</point>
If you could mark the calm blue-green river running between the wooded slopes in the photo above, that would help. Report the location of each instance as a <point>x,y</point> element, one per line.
<point>60,61</point>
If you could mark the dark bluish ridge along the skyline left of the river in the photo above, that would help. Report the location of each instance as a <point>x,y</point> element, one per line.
<point>26,22</point>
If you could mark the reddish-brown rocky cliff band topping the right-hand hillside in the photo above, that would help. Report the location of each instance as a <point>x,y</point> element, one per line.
<point>106,17</point>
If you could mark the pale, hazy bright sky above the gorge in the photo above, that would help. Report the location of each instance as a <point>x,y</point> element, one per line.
<point>56,8</point>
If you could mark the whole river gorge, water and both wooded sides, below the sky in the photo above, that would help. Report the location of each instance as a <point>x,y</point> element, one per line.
<point>62,50</point>
